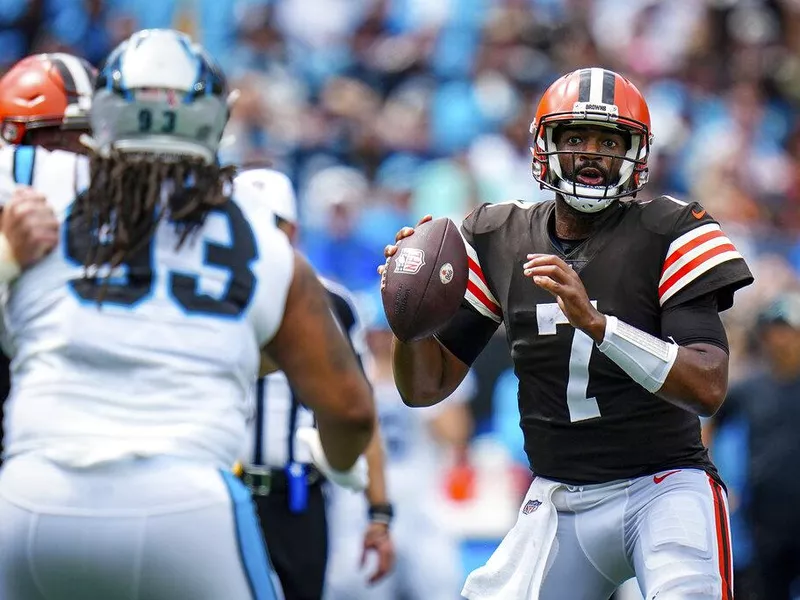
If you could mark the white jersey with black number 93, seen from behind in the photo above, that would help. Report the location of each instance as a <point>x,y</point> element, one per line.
<point>154,358</point>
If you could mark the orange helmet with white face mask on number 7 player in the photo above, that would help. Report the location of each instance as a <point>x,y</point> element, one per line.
<point>596,97</point>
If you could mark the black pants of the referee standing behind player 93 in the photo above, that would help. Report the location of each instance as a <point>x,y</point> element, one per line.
<point>297,542</point>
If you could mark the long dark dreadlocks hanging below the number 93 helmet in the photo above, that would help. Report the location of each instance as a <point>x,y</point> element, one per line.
<point>130,193</point>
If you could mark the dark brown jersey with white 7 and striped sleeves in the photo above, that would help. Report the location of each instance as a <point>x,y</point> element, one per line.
<point>584,419</point>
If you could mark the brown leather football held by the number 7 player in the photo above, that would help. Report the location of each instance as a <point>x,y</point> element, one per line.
<point>425,280</point>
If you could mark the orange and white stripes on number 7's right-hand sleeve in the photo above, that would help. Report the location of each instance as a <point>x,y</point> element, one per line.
<point>691,255</point>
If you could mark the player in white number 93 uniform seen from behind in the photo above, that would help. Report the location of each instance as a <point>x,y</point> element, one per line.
<point>135,342</point>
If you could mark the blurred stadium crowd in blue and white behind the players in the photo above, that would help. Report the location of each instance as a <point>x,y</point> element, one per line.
<point>384,110</point>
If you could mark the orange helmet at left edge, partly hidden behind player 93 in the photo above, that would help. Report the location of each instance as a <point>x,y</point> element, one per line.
<point>45,90</point>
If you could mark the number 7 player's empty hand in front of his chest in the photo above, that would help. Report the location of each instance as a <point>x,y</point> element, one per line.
<point>554,275</point>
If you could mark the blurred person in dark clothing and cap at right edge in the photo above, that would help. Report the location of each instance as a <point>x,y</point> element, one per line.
<point>767,405</point>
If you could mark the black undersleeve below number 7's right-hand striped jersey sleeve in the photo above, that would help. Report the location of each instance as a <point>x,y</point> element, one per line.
<point>695,321</point>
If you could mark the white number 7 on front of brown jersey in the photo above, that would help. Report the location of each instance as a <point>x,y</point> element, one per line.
<point>581,408</point>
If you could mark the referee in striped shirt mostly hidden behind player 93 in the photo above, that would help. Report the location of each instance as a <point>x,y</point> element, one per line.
<point>288,489</point>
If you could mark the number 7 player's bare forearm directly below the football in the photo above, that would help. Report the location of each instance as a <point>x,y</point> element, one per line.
<point>420,371</point>
